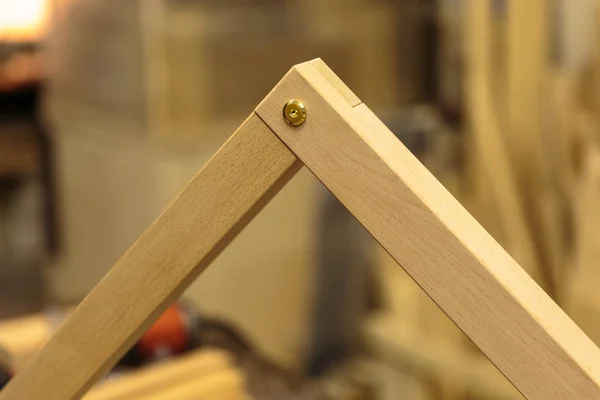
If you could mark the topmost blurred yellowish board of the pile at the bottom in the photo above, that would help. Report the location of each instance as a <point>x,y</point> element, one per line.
<point>162,376</point>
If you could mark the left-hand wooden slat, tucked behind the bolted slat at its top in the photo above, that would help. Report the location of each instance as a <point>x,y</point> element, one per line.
<point>234,185</point>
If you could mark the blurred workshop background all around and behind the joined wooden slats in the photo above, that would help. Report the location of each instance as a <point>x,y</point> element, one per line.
<point>108,108</point>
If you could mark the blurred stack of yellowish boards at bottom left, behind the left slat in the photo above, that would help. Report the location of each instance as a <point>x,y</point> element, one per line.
<point>202,373</point>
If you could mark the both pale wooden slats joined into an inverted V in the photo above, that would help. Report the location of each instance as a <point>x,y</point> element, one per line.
<point>487,294</point>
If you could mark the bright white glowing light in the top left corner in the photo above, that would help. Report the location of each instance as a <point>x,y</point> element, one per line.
<point>23,19</point>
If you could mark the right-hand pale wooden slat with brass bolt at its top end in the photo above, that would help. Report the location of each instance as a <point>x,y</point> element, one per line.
<point>462,268</point>
